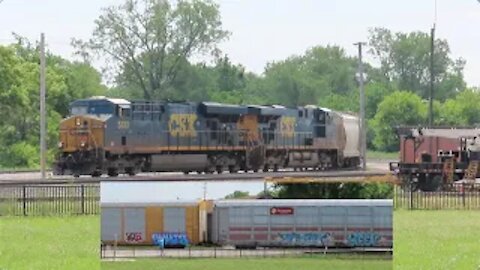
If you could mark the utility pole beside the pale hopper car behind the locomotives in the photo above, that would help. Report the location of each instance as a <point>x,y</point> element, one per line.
<point>363,125</point>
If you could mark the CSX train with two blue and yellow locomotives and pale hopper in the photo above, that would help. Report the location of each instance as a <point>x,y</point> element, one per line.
<point>112,136</point>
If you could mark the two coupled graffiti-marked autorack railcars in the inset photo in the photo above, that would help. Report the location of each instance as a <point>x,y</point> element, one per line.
<point>250,223</point>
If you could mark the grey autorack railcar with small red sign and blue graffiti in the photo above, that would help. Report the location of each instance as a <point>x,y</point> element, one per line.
<point>301,223</point>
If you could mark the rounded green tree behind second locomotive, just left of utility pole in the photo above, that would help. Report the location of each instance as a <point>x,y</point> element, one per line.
<point>323,75</point>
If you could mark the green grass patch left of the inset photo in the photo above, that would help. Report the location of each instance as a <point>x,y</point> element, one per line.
<point>49,242</point>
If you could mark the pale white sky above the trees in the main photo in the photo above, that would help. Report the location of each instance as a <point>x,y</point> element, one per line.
<point>270,30</point>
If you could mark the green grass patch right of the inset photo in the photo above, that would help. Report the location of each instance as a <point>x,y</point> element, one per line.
<point>437,240</point>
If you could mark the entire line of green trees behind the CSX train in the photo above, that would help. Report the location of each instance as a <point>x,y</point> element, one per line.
<point>148,47</point>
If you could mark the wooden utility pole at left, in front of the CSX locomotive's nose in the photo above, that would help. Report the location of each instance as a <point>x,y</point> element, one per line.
<point>43,145</point>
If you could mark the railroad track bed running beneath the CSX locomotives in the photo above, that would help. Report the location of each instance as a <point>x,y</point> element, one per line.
<point>279,177</point>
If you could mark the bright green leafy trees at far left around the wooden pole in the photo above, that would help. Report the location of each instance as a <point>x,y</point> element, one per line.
<point>19,99</point>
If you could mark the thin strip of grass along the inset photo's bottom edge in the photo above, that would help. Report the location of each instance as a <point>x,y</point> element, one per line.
<point>252,264</point>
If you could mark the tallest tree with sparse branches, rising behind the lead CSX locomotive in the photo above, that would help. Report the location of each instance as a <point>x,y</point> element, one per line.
<point>149,41</point>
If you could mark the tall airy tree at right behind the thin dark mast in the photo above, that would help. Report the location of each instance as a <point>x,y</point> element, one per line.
<point>405,61</point>
